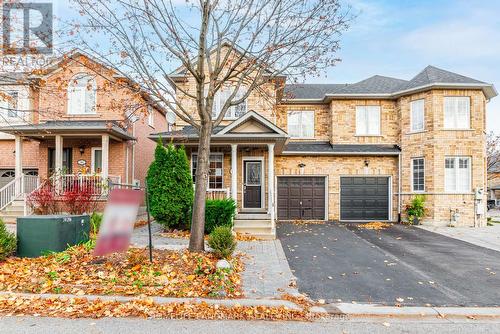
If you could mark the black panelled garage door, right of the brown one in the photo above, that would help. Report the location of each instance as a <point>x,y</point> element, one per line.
<point>364,198</point>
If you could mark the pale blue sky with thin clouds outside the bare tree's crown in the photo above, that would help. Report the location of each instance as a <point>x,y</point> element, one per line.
<point>399,38</point>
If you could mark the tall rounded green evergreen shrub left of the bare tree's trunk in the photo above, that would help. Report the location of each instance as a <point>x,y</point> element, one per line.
<point>170,186</point>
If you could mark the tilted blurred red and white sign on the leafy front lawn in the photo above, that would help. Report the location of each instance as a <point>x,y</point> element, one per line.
<point>118,221</point>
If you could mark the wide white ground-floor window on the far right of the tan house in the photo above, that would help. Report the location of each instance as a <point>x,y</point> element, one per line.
<point>457,174</point>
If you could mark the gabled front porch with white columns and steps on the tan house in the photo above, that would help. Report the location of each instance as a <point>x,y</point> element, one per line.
<point>241,167</point>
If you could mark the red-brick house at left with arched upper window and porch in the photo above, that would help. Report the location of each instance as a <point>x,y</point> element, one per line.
<point>77,118</point>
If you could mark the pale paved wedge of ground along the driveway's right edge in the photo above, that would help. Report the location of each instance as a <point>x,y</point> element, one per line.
<point>488,237</point>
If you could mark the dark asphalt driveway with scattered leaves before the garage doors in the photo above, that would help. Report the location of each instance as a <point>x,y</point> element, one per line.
<point>398,265</point>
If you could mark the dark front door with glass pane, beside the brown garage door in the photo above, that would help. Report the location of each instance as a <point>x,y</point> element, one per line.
<point>252,184</point>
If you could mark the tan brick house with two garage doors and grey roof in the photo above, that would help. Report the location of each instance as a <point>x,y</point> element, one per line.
<point>349,152</point>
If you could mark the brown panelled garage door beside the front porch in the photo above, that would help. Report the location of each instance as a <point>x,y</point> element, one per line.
<point>301,197</point>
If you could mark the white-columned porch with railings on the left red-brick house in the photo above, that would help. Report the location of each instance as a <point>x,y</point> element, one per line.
<point>72,155</point>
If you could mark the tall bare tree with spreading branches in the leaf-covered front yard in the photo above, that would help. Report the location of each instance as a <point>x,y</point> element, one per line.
<point>244,44</point>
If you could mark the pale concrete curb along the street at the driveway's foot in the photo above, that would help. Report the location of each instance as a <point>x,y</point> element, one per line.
<point>381,310</point>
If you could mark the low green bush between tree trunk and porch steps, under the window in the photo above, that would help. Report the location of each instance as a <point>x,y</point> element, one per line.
<point>219,212</point>
